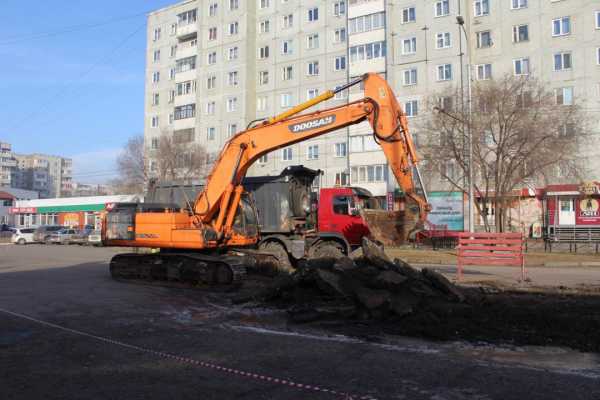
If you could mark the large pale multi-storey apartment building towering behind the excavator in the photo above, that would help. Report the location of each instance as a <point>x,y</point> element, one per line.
<point>213,66</point>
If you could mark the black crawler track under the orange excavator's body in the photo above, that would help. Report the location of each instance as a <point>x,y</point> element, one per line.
<point>179,269</point>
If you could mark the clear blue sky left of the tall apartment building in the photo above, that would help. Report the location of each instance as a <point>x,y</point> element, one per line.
<point>72,79</point>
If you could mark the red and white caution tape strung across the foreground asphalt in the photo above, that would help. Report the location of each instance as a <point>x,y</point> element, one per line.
<point>204,364</point>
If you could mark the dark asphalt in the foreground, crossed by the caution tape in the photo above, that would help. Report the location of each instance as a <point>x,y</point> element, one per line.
<point>70,288</point>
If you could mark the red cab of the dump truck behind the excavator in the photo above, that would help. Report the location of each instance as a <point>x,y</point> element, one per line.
<point>339,211</point>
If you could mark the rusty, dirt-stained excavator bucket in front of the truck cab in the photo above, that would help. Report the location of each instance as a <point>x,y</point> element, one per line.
<point>393,228</point>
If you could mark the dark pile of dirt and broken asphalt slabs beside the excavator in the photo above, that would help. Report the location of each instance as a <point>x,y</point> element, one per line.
<point>370,287</point>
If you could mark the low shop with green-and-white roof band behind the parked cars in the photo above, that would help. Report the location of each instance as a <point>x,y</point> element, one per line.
<point>71,211</point>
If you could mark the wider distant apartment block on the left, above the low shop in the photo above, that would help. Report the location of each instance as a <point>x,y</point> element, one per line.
<point>51,176</point>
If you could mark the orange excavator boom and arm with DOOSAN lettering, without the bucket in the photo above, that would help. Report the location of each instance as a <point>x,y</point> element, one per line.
<point>215,208</point>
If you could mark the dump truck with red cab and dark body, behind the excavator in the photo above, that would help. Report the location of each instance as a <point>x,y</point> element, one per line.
<point>296,220</point>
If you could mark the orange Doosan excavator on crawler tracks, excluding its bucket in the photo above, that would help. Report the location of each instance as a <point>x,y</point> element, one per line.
<point>212,239</point>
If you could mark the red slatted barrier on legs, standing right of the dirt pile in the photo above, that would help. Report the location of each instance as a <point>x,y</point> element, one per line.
<point>490,249</point>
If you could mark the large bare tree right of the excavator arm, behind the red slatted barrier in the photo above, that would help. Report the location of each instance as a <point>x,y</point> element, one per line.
<point>521,133</point>
